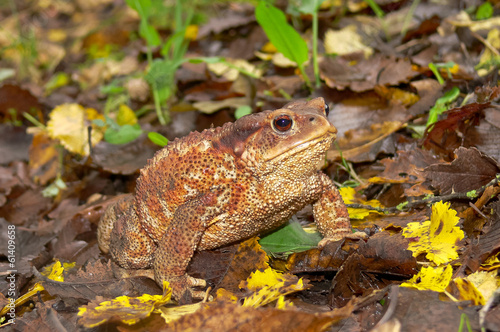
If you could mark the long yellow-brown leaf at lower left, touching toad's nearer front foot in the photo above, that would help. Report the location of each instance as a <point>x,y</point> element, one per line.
<point>128,310</point>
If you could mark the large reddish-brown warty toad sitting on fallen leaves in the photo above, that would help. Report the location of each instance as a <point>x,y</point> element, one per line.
<point>223,185</point>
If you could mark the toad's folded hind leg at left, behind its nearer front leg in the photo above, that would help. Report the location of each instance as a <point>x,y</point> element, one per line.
<point>130,245</point>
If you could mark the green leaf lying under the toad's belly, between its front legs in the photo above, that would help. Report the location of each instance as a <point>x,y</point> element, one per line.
<point>289,239</point>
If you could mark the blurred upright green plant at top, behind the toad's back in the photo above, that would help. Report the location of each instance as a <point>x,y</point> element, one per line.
<point>161,72</point>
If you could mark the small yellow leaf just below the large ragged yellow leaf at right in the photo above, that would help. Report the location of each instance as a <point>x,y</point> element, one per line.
<point>429,278</point>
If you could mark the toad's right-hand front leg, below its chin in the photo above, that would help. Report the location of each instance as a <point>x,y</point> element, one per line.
<point>330,212</point>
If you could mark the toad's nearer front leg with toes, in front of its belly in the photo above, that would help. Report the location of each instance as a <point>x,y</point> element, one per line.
<point>177,246</point>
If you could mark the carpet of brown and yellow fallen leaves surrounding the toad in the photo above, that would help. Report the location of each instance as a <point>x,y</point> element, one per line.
<point>427,195</point>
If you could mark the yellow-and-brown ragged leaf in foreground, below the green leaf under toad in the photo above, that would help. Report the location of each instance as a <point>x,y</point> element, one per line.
<point>269,285</point>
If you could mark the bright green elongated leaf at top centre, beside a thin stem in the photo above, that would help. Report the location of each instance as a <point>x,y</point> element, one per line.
<point>281,34</point>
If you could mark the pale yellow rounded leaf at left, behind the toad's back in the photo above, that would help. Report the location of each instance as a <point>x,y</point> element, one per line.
<point>69,124</point>
